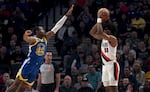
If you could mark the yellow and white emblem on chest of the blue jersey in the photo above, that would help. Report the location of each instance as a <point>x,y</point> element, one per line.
<point>40,50</point>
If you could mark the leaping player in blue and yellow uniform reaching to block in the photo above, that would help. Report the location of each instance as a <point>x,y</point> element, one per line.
<point>28,72</point>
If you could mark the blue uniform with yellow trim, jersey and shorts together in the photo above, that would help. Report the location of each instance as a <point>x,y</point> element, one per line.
<point>30,68</point>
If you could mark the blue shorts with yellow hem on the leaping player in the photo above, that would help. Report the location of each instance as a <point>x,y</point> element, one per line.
<point>28,72</point>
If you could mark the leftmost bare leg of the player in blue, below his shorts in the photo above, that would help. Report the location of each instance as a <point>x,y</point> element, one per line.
<point>14,86</point>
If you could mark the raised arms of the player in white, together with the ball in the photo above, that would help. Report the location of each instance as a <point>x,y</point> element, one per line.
<point>97,30</point>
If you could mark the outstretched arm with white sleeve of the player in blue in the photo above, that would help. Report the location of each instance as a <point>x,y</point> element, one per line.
<point>59,24</point>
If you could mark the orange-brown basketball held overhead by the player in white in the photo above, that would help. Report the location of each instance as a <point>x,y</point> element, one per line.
<point>103,13</point>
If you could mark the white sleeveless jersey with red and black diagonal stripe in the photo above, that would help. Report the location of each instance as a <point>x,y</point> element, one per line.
<point>108,53</point>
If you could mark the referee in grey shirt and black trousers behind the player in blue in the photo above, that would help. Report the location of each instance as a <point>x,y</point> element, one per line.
<point>49,76</point>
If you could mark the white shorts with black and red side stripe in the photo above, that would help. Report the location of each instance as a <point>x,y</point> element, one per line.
<point>110,74</point>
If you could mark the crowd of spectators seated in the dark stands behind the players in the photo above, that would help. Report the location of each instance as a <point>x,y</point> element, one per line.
<point>78,50</point>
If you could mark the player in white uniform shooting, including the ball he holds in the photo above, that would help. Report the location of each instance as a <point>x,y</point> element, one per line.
<point>110,68</point>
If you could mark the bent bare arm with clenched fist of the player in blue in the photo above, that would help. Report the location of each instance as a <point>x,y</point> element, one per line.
<point>27,37</point>
